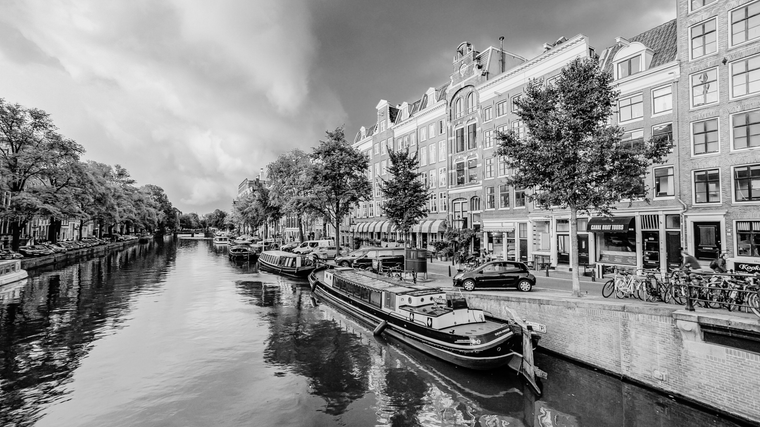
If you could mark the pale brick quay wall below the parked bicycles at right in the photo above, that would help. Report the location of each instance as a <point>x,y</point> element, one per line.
<point>710,358</point>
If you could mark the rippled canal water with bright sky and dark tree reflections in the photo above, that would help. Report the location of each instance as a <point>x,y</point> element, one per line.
<point>176,334</point>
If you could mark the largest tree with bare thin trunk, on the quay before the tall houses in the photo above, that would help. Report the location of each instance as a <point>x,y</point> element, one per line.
<point>569,156</point>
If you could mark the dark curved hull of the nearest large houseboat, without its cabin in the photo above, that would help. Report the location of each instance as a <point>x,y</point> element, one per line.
<point>495,353</point>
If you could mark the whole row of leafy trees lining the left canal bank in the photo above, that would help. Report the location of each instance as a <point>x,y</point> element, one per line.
<point>45,177</point>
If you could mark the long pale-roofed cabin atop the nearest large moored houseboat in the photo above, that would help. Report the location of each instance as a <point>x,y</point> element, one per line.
<point>418,304</point>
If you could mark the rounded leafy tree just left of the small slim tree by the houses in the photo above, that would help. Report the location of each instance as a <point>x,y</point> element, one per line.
<point>338,178</point>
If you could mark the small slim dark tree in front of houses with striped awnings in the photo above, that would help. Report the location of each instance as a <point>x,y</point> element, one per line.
<point>405,193</point>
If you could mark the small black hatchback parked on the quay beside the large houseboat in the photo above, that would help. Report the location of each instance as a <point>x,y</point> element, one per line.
<point>497,274</point>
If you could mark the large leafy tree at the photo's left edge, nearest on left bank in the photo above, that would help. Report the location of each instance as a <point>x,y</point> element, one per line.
<point>33,161</point>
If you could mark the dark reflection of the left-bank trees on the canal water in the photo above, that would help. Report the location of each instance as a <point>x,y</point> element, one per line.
<point>50,322</point>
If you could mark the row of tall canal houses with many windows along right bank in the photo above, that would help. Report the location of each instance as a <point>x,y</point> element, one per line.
<point>694,79</point>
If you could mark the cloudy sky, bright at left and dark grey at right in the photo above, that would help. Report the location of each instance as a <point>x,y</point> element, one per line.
<point>194,96</point>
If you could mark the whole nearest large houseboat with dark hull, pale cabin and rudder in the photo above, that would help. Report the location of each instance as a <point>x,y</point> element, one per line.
<point>433,322</point>
